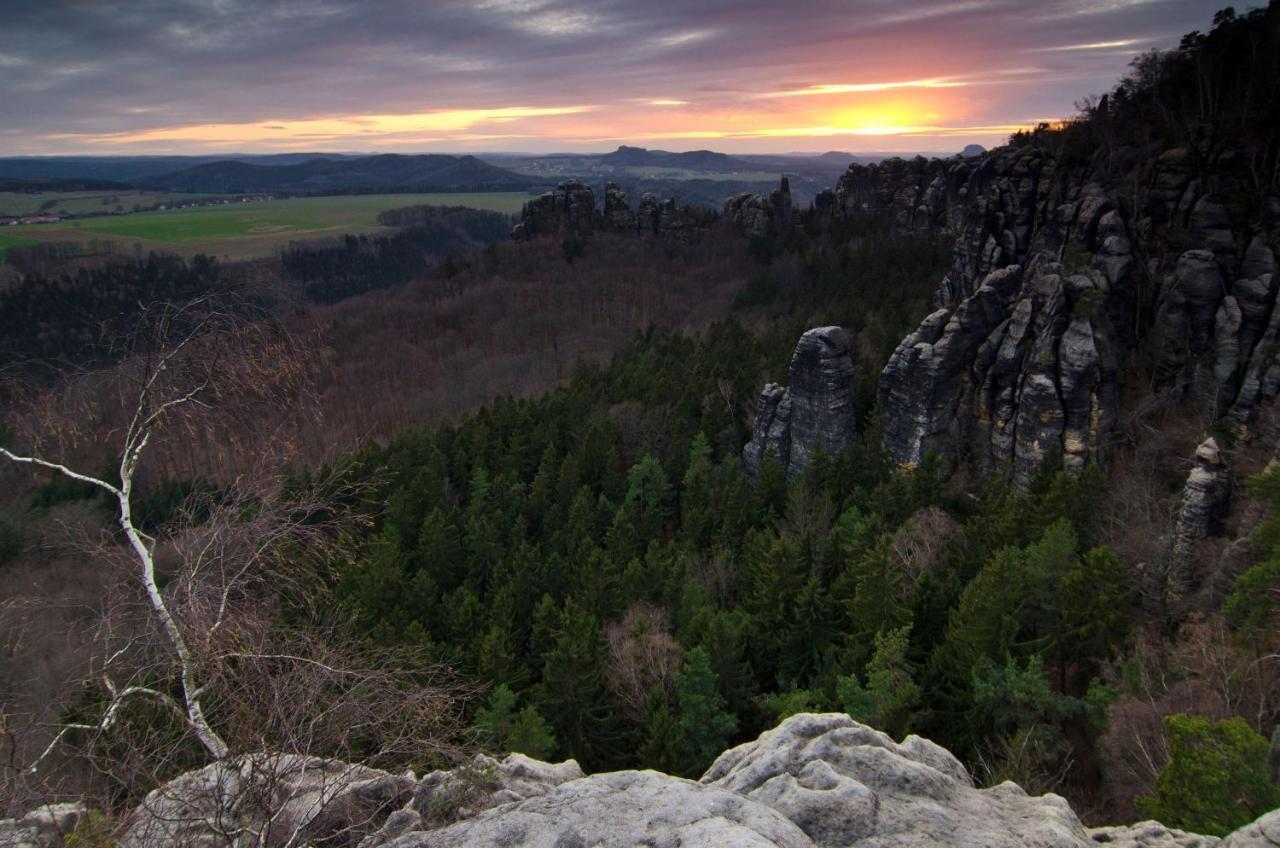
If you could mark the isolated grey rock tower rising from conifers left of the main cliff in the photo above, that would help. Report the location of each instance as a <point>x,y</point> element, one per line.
<point>816,411</point>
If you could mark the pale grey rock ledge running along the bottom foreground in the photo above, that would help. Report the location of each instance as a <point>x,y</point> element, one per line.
<point>813,782</point>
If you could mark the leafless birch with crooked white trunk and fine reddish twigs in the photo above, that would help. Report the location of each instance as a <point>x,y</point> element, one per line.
<point>198,662</point>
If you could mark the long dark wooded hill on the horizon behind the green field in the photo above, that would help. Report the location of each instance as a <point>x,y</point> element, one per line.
<point>368,174</point>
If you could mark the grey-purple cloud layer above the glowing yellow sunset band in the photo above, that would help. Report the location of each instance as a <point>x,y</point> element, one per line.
<point>71,67</point>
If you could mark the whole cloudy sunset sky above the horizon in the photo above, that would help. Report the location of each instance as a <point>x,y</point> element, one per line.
<point>103,77</point>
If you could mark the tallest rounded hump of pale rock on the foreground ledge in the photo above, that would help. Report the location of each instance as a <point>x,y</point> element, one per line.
<point>845,785</point>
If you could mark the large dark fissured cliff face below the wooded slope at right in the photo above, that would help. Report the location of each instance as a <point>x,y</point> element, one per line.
<point>1063,273</point>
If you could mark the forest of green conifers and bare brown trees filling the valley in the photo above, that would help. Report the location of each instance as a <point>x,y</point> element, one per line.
<point>528,469</point>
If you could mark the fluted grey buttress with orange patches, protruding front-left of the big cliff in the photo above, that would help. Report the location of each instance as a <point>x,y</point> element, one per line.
<point>1023,368</point>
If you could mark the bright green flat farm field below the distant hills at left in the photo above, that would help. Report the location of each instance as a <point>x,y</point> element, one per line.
<point>246,231</point>
